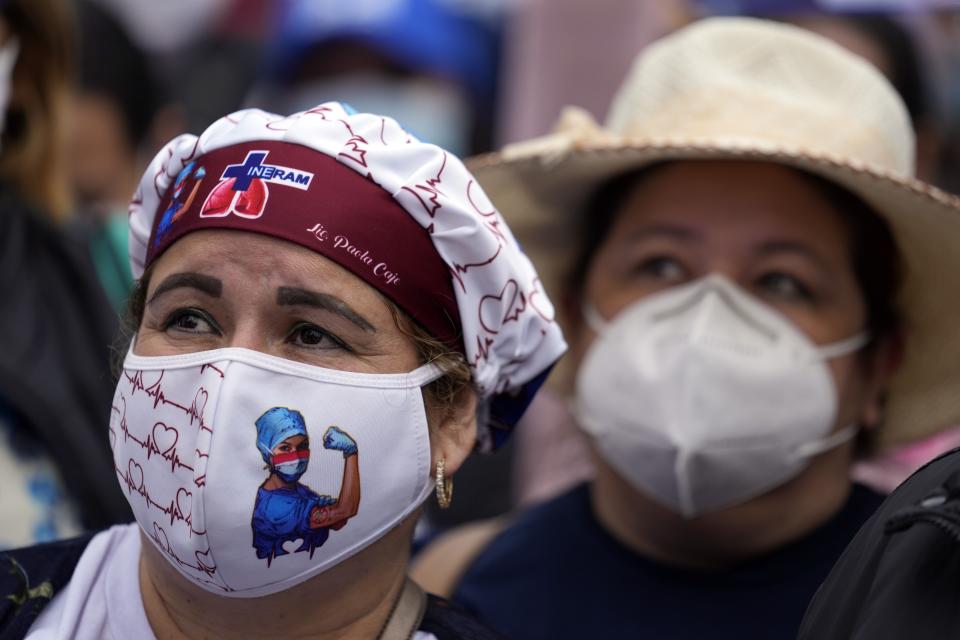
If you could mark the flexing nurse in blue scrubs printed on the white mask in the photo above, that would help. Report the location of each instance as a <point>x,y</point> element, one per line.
<point>287,512</point>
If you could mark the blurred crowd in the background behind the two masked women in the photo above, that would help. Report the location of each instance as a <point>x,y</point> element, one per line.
<point>92,88</point>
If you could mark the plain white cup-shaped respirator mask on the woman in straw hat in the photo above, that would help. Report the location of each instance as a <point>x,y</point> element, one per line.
<point>703,397</point>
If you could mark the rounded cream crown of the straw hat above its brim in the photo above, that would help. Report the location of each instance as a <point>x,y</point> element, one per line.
<point>741,81</point>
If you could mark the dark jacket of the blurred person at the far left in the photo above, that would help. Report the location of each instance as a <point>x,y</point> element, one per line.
<point>56,330</point>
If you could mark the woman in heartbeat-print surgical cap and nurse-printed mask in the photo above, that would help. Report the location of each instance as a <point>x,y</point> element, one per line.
<point>330,317</point>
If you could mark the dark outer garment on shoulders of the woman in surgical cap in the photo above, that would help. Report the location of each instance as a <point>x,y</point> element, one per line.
<point>31,577</point>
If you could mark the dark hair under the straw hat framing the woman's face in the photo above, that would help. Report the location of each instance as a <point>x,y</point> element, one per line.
<point>873,249</point>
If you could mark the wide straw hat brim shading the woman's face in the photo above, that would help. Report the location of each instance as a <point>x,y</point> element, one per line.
<point>541,196</point>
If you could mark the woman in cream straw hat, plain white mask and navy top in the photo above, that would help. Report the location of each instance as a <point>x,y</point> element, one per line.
<point>735,239</point>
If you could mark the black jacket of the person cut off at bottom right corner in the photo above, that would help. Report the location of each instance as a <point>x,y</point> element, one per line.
<point>900,577</point>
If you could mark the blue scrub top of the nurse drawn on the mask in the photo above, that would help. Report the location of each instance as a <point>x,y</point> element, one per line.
<point>283,515</point>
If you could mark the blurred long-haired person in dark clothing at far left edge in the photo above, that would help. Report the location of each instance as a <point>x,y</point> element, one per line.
<point>56,326</point>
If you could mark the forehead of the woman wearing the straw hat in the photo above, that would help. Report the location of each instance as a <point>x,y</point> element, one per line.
<point>732,198</point>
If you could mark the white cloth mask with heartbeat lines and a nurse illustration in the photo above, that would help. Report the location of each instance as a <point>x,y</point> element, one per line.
<point>210,449</point>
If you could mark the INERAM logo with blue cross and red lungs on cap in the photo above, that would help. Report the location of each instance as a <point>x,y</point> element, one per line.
<point>243,187</point>
